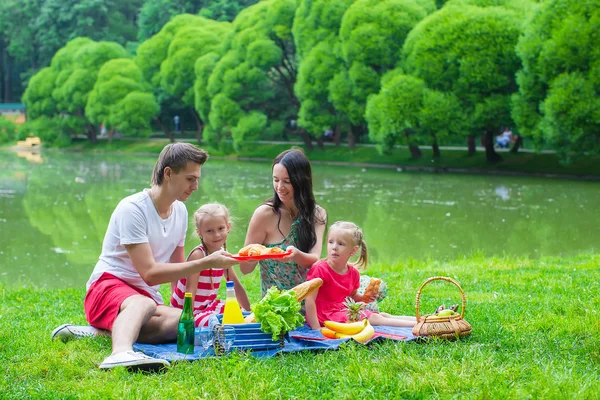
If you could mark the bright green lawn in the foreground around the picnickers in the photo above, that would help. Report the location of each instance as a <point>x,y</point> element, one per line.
<point>536,334</point>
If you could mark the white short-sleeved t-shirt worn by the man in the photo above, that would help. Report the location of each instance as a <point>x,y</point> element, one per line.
<point>134,221</point>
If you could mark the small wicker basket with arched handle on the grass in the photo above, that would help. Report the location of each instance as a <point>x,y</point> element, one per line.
<point>451,327</point>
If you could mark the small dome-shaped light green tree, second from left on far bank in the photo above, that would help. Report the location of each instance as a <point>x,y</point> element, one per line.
<point>122,100</point>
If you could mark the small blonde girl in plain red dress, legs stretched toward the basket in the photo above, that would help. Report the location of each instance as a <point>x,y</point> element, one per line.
<point>342,279</point>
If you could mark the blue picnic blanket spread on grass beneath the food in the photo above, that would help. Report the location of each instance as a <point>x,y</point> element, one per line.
<point>300,339</point>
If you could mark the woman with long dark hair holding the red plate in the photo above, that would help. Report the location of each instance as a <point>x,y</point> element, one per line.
<point>290,220</point>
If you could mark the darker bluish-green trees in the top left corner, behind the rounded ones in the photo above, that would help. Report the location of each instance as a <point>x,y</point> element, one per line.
<point>34,30</point>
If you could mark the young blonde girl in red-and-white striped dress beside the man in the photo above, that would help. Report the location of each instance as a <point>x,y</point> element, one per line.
<point>212,226</point>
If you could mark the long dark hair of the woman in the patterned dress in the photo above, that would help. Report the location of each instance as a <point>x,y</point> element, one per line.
<point>300,173</point>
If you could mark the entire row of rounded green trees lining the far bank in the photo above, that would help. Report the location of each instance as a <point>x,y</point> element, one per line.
<point>413,72</point>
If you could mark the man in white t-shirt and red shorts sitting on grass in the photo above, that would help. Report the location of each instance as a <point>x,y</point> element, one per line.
<point>142,248</point>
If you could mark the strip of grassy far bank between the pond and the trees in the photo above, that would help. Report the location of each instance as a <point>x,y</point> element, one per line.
<point>451,160</point>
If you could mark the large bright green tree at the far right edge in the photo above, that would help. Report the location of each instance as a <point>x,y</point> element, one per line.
<point>559,85</point>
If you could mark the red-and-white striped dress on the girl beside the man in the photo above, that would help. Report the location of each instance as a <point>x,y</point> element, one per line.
<point>205,300</point>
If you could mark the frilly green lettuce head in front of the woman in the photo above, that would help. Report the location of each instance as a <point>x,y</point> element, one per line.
<point>278,312</point>
